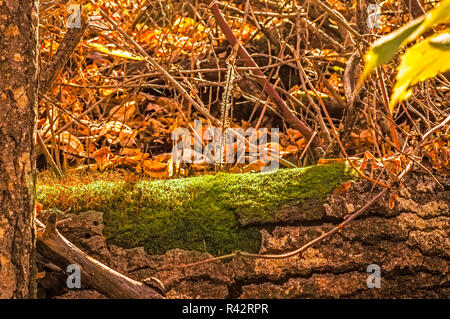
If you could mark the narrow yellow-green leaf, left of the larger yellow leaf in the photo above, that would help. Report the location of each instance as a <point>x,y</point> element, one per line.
<point>386,47</point>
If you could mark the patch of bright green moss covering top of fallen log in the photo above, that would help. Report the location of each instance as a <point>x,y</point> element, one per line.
<point>201,213</point>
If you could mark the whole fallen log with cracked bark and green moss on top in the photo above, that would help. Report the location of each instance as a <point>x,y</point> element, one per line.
<point>267,213</point>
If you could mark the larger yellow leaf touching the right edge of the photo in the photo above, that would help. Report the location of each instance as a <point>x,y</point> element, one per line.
<point>420,62</point>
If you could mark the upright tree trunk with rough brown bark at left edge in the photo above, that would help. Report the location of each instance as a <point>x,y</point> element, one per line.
<point>18,106</point>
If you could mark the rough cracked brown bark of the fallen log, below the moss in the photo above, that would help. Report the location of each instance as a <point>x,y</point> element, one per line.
<point>409,242</point>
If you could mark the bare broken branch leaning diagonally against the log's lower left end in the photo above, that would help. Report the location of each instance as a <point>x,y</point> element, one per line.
<point>95,274</point>
